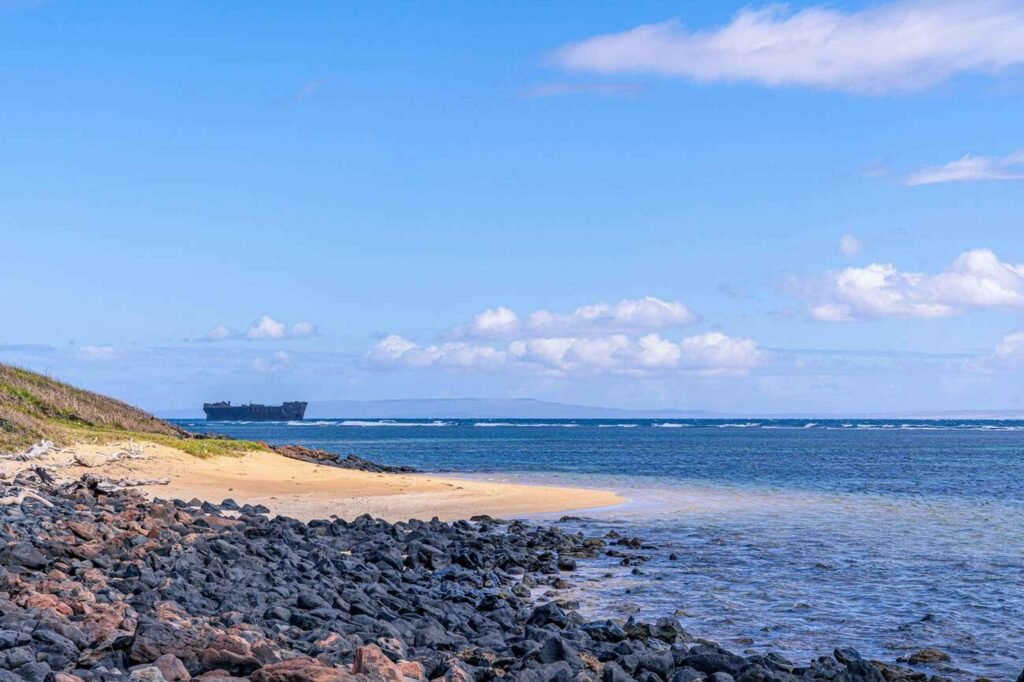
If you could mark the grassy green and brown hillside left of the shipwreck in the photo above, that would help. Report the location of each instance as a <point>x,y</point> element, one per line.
<point>34,407</point>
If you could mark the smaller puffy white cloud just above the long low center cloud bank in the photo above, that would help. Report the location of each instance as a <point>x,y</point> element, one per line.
<point>628,316</point>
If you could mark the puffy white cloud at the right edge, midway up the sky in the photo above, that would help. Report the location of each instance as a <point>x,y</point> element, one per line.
<point>975,280</point>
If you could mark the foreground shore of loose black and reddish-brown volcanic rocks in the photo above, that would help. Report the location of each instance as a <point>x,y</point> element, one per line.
<point>98,583</point>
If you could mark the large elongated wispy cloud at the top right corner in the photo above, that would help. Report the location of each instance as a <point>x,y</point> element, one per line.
<point>899,47</point>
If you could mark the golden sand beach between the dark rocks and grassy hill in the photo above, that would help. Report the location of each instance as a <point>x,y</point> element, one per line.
<point>307,491</point>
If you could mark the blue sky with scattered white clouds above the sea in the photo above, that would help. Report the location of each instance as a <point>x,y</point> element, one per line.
<point>747,208</point>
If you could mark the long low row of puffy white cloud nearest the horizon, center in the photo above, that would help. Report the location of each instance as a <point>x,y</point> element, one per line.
<point>617,354</point>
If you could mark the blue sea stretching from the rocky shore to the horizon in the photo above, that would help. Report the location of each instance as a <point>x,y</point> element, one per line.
<point>797,536</point>
